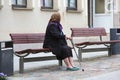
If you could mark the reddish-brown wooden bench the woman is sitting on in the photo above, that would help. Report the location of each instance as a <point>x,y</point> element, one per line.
<point>22,39</point>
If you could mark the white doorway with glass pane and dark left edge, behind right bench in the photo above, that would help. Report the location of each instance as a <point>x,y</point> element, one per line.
<point>100,13</point>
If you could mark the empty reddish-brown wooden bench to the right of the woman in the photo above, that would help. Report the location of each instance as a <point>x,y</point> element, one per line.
<point>91,32</point>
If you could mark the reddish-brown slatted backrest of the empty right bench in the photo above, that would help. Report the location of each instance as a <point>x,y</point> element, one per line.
<point>86,32</point>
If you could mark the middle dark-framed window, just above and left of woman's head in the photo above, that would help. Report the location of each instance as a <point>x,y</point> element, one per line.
<point>47,4</point>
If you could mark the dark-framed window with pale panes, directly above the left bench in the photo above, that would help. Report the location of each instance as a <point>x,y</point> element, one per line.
<point>19,3</point>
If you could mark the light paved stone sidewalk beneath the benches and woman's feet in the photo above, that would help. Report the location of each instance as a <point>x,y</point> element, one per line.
<point>96,68</point>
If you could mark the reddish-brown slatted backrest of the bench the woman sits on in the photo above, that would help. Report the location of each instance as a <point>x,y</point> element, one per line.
<point>21,38</point>
